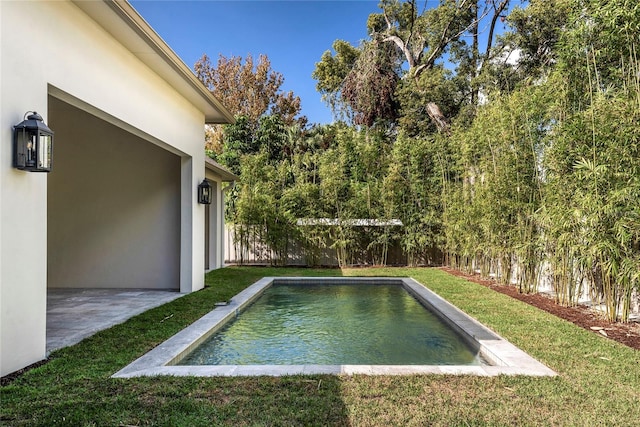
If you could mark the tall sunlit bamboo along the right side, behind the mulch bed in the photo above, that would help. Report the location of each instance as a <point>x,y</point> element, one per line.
<point>550,173</point>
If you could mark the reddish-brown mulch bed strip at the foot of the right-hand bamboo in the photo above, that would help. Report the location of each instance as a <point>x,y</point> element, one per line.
<point>583,316</point>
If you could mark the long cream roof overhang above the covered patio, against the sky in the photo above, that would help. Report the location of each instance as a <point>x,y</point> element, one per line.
<point>126,25</point>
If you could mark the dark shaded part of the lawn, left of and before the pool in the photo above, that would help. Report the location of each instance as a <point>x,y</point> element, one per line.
<point>75,387</point>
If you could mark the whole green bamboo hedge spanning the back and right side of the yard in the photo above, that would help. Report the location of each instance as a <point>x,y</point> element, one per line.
<point>540,182</point>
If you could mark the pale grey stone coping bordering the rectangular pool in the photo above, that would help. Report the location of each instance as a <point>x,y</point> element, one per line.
<point>505,358</point>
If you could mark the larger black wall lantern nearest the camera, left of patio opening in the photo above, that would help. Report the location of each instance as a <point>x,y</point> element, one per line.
<point>32,144</point>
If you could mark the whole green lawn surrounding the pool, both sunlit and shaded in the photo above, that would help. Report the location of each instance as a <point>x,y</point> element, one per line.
<point>598,381</point>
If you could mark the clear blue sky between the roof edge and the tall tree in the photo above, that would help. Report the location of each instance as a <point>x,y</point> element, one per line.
<point>293,34</point>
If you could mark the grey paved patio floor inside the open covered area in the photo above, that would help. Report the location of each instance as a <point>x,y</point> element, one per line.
<point>75,314</point>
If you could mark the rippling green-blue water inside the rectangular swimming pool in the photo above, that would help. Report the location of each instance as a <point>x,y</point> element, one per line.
<point>337,324</point>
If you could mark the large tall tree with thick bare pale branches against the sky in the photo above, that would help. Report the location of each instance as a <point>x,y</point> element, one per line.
<point>405,44</point>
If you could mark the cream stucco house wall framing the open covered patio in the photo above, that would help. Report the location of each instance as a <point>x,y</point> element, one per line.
<point>54,48</point>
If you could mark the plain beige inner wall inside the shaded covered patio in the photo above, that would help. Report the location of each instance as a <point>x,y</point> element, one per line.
<point>114,207</point>
